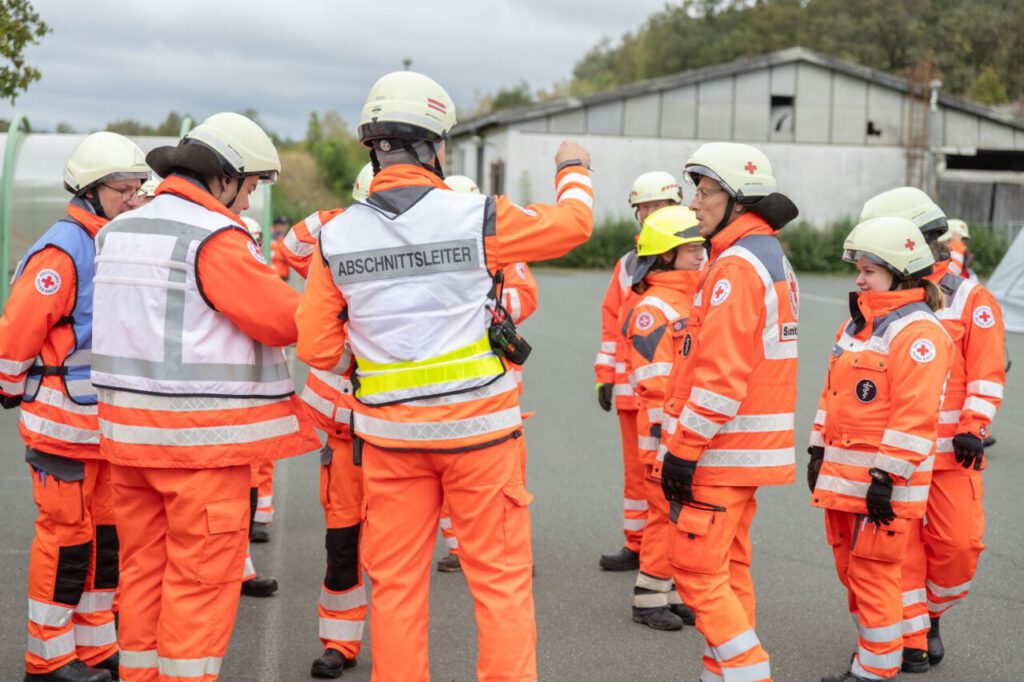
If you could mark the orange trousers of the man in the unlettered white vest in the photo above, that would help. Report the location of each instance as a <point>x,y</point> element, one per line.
<point>184,538</point>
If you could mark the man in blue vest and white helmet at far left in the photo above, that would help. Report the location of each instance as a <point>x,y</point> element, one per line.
<point>46,339</point>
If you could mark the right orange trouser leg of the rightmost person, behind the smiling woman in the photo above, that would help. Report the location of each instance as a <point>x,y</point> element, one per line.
<point>954,536</point>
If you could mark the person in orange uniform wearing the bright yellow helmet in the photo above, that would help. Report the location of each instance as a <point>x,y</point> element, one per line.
<point>668,270</point>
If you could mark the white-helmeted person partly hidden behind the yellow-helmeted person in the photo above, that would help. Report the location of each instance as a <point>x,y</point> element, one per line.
<point>650,193</point>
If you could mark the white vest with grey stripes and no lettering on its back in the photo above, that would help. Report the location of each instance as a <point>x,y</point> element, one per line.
<point>156,333</point>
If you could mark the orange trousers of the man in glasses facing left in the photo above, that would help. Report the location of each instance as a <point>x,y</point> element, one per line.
<point>710,553</point>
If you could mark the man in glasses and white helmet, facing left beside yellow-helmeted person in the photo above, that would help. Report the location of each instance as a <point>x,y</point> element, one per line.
<point>730,413</point>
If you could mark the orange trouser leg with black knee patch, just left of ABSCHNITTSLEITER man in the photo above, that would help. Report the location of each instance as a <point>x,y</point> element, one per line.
<point>343,608</point>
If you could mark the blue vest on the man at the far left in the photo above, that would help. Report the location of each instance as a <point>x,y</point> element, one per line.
<point>74,240</point>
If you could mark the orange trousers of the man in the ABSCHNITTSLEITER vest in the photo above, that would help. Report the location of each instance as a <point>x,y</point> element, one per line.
<point>489,505</point>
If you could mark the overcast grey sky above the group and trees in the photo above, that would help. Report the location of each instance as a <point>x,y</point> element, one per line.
<point>111,60</point>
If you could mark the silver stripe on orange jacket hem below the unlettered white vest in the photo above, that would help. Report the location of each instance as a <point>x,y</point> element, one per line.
<point>203,436</point>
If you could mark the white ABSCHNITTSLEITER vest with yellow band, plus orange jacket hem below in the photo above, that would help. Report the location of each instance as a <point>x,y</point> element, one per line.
<point>410,264</point>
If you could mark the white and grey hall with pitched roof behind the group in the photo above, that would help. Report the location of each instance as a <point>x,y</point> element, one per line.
<point>836,133</point>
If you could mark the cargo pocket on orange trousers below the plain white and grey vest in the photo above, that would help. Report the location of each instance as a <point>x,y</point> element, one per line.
<point>225,548</point>
